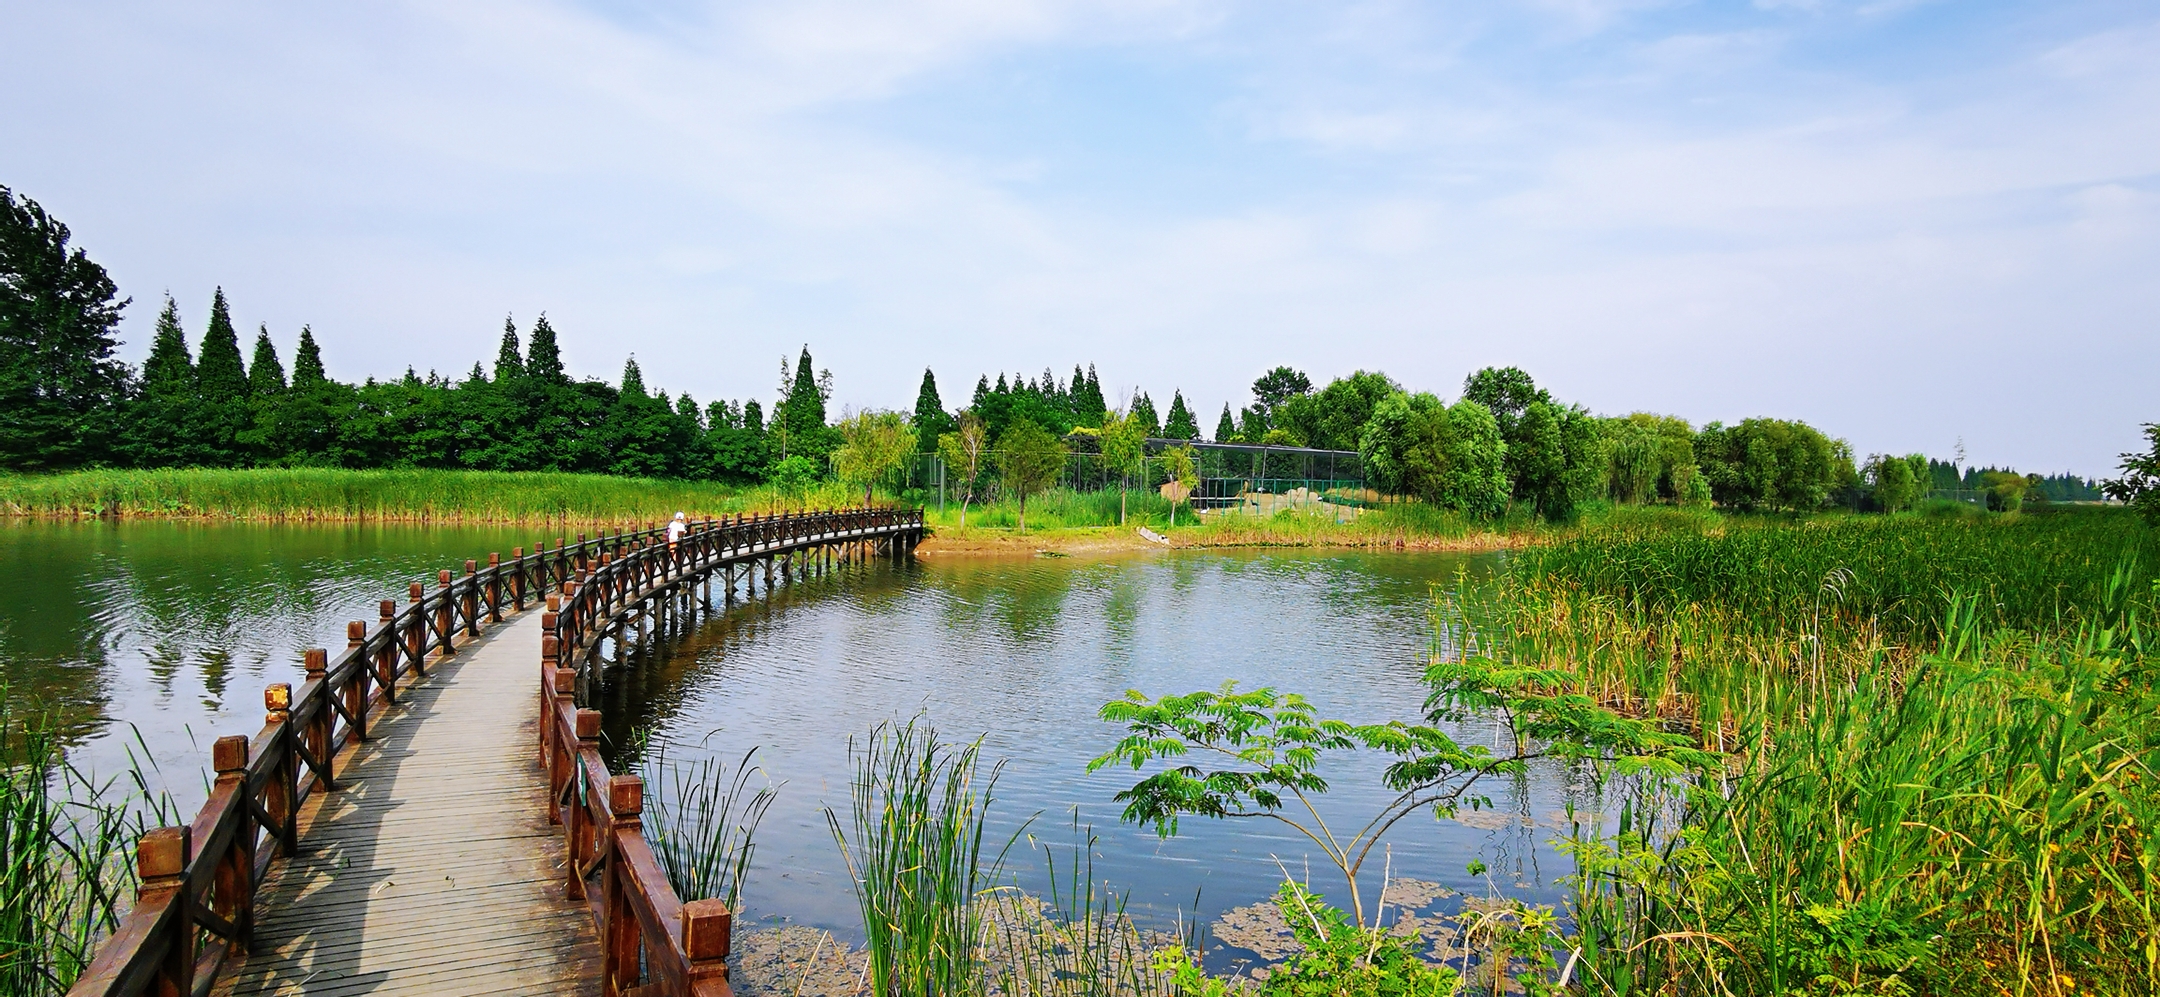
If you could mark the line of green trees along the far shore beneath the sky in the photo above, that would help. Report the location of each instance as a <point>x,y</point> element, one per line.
<point>1502,443</point>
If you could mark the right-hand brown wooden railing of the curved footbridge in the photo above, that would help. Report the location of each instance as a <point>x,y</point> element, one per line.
<point>653,942</point>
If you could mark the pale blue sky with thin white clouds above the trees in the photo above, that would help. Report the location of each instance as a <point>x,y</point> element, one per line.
<point>1911,223</point>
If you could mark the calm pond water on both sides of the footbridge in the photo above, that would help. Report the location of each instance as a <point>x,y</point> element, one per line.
<point>170,631</point>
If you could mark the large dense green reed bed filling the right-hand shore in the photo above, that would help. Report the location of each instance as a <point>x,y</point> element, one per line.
<point>1941,741</point>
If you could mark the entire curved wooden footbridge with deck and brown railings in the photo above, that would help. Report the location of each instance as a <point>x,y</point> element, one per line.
<point>409,823</point>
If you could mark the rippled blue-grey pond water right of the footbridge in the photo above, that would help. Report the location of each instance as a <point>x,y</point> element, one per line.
<point>1025,653</point>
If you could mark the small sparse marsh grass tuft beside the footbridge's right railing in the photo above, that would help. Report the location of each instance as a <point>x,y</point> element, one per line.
<point>703,821</point>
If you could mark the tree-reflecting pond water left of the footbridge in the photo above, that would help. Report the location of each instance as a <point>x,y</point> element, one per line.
<point>174,629</point>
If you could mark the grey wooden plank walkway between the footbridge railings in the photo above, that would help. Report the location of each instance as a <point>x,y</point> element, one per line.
<point>435,871</point>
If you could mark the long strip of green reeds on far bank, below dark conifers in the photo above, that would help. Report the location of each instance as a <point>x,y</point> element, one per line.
<point>392,495</point>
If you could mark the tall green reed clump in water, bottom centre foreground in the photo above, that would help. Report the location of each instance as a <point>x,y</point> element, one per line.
<point>915,851</point>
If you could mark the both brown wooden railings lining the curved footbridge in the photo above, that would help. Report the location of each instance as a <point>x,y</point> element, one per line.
<point>195,905</point>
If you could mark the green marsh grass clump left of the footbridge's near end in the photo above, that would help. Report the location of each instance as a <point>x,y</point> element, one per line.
<point>66,856</point>
